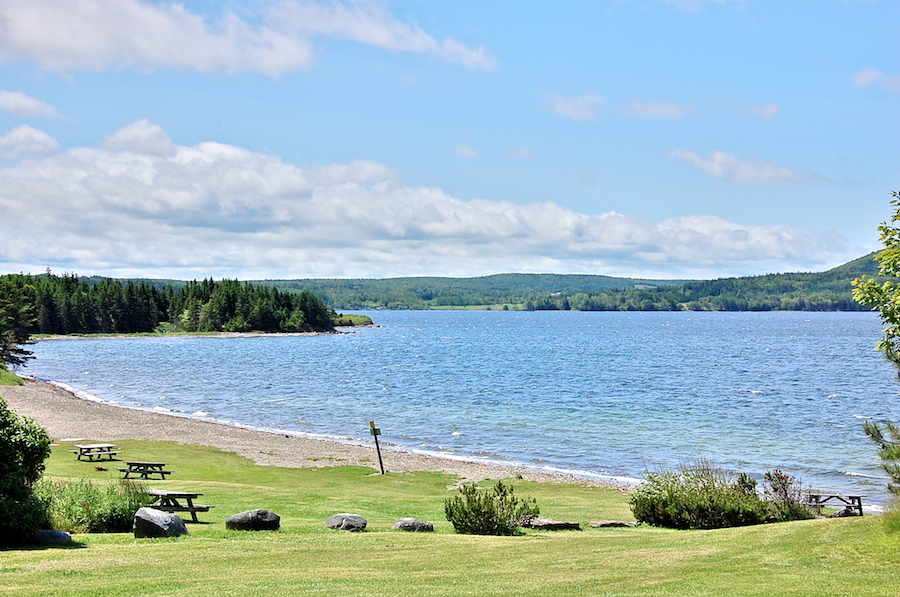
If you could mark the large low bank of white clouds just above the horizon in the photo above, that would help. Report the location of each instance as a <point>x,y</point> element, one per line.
<point>220,210</point>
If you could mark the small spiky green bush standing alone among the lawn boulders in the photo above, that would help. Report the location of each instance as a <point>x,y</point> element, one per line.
<point>495,511</point>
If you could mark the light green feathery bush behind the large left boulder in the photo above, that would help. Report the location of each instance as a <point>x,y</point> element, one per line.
<point>80,506</point>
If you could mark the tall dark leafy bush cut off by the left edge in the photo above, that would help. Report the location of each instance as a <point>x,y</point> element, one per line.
<point>23,448</point>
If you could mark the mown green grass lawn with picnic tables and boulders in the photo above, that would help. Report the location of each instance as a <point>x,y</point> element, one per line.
<point>851,556</point>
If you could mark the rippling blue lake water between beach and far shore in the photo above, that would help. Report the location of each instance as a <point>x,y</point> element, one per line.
<point>600,394</point>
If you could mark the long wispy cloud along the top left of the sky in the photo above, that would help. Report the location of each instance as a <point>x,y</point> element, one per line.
<point>93,35</point>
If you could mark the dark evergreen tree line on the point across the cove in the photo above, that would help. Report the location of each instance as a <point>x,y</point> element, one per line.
<point>67,304</point>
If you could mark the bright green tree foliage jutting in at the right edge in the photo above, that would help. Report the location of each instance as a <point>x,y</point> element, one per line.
<point>884,297</point>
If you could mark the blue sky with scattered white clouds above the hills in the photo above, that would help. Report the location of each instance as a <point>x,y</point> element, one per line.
<point>258,139</point>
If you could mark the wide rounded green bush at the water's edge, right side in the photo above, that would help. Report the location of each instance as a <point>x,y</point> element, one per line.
<point>701,497</point>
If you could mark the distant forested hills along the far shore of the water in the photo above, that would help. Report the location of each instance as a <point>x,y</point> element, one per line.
<point>824,291</point>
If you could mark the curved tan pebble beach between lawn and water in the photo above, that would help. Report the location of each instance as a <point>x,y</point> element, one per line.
<point>65,415</point>
